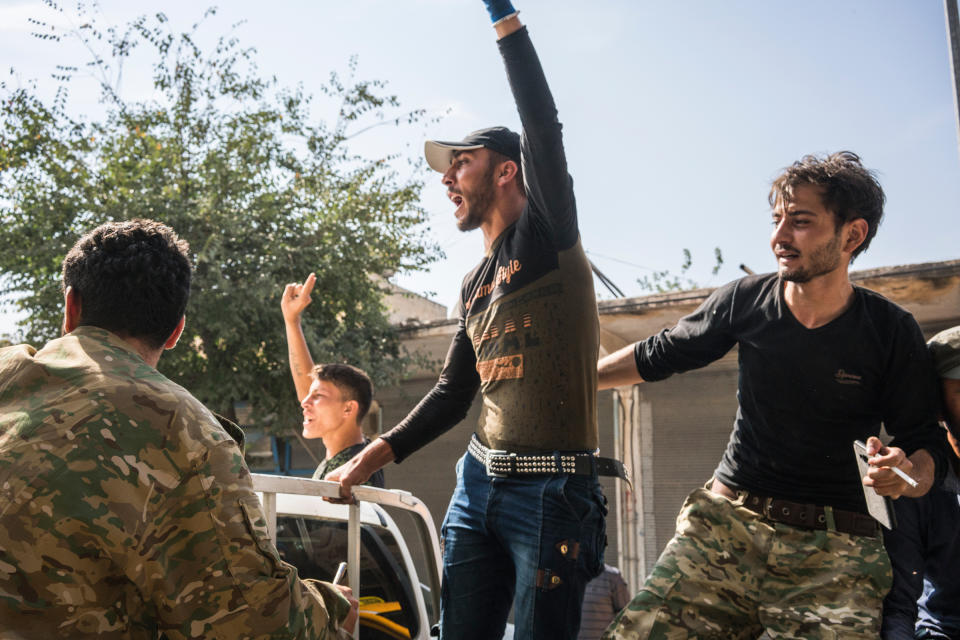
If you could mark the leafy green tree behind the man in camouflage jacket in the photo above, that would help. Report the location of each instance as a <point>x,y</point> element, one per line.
<point>237,166</point>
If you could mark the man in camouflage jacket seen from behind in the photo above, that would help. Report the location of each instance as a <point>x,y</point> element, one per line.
<point>127,510</point>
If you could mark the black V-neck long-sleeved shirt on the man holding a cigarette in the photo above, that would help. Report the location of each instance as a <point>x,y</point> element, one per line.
<point>806,394</point>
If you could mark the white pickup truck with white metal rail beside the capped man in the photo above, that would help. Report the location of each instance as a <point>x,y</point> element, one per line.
<point>387,539</point>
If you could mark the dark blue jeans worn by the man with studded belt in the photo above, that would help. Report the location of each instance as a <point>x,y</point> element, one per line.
<point>533,541</point>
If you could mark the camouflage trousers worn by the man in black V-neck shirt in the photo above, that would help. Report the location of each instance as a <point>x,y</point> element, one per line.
<point>730,573</point>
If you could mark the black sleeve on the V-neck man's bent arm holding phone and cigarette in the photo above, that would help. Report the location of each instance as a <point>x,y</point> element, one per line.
<point>911,396</point>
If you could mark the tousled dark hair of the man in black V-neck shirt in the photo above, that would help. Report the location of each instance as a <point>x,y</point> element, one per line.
<point>850,190</point>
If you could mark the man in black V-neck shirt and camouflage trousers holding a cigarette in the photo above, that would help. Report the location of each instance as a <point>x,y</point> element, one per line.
<point>780,538</point>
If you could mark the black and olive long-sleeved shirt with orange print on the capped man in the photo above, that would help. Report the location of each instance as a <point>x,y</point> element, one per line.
<point>528,336</point>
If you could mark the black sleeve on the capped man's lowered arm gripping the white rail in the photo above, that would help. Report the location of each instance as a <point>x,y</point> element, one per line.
<point>446,404</point>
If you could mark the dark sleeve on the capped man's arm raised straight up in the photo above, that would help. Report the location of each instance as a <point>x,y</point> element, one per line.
<point>549,186</point>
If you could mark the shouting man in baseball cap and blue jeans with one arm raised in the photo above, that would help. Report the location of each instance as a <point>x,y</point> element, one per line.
<point>525,524</point>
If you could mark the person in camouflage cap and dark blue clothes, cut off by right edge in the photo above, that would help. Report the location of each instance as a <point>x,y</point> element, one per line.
<point>925,547</point>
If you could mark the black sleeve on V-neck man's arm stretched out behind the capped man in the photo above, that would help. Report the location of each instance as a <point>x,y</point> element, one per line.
<point>697,339</point>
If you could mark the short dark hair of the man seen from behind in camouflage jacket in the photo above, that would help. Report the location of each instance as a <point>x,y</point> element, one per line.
<point>132,278</point>
